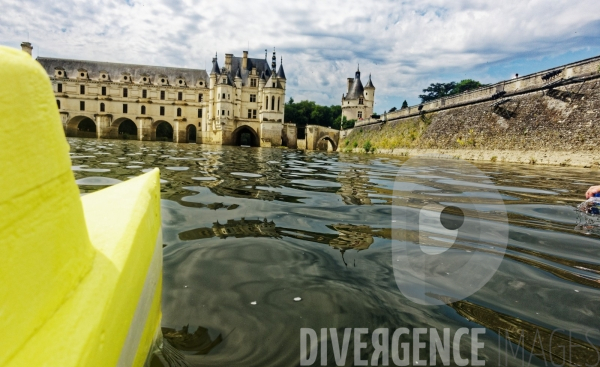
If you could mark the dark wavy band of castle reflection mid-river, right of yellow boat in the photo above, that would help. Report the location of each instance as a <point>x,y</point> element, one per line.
<point>348,236</point>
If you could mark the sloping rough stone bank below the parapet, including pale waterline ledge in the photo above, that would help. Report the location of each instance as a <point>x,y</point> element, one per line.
<point>555,127</point>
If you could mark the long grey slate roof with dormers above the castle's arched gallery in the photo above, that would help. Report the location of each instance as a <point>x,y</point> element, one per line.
<point>115,70</point>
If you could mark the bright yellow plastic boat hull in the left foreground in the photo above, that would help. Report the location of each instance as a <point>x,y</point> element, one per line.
<point>80,276</point>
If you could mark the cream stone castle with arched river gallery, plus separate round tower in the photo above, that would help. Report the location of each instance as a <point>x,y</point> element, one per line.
<point>241,103</point>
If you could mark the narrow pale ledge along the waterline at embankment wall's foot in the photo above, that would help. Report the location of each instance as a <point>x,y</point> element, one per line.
<point>556,158</point>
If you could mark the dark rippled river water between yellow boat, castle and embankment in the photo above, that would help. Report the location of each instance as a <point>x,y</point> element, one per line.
<point>260,243</point>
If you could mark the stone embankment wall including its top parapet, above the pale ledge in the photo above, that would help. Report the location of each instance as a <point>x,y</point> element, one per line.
<point>544,117</point>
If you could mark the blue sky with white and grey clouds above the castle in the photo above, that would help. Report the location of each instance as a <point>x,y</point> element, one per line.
<point>405,45</point>
